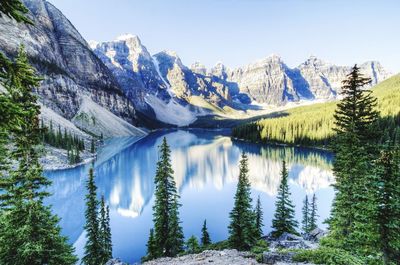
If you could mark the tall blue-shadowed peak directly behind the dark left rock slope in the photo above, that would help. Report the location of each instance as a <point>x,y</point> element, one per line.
<point>160,85</point>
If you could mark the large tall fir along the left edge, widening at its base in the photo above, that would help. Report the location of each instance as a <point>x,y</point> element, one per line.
<point>29,232</point>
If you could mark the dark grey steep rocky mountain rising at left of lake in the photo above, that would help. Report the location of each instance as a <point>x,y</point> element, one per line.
<point>75,79</point>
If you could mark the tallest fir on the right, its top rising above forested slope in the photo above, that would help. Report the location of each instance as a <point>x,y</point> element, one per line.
<point>355,148</point>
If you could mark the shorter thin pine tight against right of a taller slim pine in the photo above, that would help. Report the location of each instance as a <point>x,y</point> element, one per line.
<point>105,232</point>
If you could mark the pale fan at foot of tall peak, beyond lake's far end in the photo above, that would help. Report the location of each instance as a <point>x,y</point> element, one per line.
<point>171,112</point>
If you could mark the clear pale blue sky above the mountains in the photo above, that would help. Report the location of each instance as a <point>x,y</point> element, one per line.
<point>238,32</point>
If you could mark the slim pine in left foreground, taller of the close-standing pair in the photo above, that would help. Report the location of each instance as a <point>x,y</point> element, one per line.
<point>93,244</point>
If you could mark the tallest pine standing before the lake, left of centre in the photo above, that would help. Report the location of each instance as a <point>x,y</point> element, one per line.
<point>167,230</point>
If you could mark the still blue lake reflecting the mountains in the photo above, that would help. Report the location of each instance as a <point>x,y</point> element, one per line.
<point>206,170</point>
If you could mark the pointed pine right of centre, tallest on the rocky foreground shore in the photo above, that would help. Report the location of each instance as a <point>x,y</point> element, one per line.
<point>242,235</point>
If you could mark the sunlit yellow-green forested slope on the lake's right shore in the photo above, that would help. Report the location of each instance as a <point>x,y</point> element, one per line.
<point>314,123</point>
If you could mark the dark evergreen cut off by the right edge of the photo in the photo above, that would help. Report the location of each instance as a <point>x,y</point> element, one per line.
<point>387,215</point>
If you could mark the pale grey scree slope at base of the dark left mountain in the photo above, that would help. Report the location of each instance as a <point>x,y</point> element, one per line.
<point>97,120</point>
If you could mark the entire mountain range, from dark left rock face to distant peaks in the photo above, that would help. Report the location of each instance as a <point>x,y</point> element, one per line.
<point>90,83</point>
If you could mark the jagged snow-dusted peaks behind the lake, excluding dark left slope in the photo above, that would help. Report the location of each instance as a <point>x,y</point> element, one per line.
<point>162,87</point>
